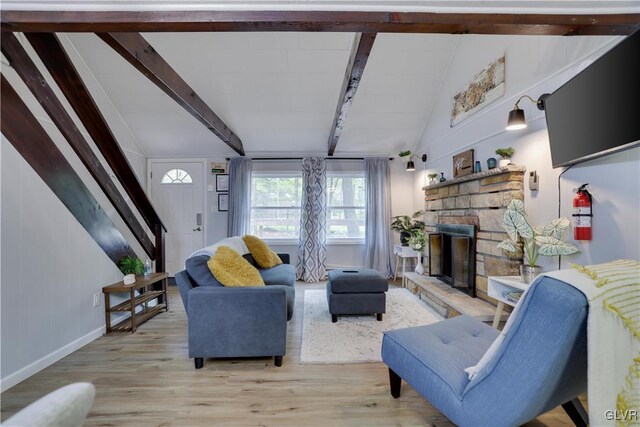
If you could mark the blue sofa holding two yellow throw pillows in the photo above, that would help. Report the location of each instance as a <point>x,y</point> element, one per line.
<point>237,321</point>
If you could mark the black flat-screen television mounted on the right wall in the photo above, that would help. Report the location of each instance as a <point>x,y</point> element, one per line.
<point>597,112</point>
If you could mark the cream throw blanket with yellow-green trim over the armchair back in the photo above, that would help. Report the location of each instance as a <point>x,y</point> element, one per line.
<point>613,335</point>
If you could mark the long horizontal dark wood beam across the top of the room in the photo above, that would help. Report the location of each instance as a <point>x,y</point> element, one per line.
<point>349,21</point>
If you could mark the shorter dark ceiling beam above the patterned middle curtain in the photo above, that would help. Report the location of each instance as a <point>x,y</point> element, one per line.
<point>362,45</point>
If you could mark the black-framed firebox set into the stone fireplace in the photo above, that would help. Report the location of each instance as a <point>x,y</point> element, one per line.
<point>452,255</point>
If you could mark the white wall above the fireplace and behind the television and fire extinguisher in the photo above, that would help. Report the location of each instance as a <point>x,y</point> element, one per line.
<point>535,65</point>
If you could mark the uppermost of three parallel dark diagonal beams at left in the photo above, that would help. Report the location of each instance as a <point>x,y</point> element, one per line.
<point>59,65</point>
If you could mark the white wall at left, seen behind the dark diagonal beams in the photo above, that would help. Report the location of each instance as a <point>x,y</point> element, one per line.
<point>51,267</point>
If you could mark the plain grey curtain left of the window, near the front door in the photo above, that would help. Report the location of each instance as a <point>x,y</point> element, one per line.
<point>239,196</point>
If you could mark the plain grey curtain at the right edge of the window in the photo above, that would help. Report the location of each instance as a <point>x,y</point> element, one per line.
<point>378,237</point>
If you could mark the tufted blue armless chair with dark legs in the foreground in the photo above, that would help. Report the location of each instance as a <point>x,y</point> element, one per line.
<point>541,364</point>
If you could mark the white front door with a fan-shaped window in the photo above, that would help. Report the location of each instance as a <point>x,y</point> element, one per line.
<point>177,192</point>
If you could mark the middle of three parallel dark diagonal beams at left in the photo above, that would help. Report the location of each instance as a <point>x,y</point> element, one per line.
<point>35,81</point>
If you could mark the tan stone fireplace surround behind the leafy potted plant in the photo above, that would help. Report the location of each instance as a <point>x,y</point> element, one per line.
<point>478,202</point>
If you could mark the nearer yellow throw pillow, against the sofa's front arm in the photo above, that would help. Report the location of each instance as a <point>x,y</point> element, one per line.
<point>231,269</point>
